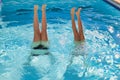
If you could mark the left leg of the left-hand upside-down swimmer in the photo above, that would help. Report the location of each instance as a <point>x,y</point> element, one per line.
<point>37,36</point>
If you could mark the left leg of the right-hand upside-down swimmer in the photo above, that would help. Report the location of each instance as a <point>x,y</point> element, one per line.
<point>76,35</point>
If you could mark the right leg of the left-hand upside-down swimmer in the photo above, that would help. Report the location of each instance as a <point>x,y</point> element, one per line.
<point>44,24</point>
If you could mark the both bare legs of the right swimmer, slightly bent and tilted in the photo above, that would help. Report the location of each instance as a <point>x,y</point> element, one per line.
<point>78,34</point>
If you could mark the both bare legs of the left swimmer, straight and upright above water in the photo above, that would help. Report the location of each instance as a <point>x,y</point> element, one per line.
<point>40,35</point>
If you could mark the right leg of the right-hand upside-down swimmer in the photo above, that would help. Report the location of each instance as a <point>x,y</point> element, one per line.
<point>81,34</point>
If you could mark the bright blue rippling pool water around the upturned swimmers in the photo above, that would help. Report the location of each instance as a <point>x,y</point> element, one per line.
<point>98,58</point>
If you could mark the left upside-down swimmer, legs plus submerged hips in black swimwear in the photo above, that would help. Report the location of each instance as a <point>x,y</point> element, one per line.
<point>40,40</point>
